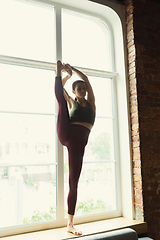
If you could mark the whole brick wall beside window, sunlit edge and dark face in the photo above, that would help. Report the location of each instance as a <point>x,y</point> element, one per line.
<point>143,37</point>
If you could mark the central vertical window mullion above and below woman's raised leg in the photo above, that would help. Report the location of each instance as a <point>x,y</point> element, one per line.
<point>60,165</point>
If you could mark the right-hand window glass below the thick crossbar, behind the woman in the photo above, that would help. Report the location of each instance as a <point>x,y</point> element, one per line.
<point>99,165</point>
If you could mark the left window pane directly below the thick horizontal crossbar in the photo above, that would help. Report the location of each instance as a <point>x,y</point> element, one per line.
<point>26,89</point>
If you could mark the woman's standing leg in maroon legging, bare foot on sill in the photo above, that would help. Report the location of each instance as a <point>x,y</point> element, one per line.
<point>76,147</point>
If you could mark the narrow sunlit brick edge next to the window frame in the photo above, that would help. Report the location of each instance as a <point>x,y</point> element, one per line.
<point>132,70</point>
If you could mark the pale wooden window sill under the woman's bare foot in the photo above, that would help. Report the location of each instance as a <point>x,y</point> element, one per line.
<point>87,229</point>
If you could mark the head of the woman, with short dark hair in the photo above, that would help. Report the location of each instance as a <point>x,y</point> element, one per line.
<point>79,88</point>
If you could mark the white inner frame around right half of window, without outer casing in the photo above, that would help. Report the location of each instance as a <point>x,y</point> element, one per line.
<point>91,72</point>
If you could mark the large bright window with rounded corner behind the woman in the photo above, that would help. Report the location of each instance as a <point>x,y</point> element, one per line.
<point>33,164</point>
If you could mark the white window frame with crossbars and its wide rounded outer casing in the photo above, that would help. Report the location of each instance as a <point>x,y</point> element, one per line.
<point>113,16</point>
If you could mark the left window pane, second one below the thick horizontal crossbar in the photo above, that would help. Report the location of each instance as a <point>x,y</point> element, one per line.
<point>27,139</point>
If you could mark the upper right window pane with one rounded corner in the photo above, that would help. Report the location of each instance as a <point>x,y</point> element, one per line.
<point>85,41</point>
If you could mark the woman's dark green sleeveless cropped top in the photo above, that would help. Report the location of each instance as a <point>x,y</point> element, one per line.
<point>82,114</point>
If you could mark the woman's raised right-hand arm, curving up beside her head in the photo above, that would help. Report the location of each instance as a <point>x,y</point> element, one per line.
<point>90,93</point>
